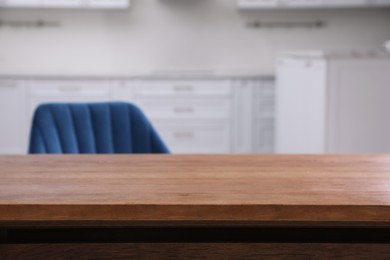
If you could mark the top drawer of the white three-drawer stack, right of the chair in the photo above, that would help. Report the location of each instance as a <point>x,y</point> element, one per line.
<point>184,88</point>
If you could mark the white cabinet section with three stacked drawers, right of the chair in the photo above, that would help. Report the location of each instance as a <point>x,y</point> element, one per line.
<point>192,116</point>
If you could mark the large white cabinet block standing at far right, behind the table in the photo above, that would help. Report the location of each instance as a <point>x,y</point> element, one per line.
<point>333,103</point>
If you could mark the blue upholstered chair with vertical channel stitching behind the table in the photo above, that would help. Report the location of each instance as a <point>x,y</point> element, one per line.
<point>93,128</point>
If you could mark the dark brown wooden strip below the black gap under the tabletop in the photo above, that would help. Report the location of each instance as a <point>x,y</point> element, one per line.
<point>195,251</point>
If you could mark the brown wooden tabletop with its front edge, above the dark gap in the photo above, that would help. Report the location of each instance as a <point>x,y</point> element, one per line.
<point>279,188</point>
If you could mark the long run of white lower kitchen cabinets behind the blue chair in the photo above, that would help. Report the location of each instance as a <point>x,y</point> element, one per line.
<point>213,115</point>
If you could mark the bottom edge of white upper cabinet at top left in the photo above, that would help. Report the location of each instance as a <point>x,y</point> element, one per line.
<point>89,4</point>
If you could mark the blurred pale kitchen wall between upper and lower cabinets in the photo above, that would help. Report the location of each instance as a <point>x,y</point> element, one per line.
<point>156,35</point>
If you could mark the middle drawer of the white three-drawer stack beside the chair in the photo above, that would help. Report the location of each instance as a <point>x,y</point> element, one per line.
<point>186,109</point>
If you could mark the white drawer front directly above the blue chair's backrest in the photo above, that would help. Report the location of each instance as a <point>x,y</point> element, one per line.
<point>66,88</point>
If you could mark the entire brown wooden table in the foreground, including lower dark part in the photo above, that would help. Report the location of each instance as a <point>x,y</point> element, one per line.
<point>193,206</point>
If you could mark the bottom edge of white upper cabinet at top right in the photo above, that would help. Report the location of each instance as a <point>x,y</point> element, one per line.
<point>271,4</point>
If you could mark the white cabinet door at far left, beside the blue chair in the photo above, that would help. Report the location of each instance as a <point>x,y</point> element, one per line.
<point>13,131</point>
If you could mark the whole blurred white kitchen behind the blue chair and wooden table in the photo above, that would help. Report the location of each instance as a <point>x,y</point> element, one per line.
<point>214,76</point>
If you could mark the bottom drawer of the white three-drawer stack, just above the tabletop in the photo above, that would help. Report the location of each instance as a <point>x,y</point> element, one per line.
<point>196,138</point>
